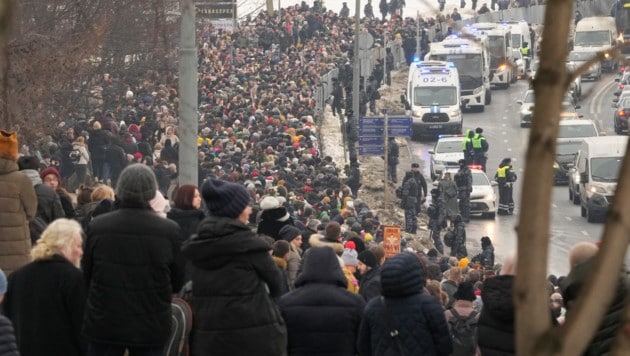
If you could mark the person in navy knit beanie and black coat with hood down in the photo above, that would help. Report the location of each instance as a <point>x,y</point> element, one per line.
<point>234,281</point>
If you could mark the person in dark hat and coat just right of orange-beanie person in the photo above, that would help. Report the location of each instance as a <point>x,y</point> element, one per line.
<point>48,204</point>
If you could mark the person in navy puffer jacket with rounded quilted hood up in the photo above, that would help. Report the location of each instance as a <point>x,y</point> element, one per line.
<point>417,315</point>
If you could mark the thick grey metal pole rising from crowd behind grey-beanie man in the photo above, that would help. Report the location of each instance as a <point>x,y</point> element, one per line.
<point>188,161</point>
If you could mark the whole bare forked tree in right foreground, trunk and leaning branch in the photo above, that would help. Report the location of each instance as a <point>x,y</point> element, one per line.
<point>535,335</point>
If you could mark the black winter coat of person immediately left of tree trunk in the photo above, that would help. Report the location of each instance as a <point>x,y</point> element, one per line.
<point>495,331</point>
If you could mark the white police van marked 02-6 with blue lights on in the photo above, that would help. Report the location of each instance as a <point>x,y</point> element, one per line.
<point>433,98</point>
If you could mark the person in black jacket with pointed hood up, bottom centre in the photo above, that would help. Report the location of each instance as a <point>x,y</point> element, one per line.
<point>322,316</point>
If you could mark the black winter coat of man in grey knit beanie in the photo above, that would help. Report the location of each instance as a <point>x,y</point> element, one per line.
<point>129,266</point>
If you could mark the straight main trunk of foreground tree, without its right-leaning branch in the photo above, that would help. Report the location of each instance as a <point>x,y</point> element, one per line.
<point>533,317</point>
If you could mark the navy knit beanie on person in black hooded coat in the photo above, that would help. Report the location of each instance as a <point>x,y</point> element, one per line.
<point>224,199</point>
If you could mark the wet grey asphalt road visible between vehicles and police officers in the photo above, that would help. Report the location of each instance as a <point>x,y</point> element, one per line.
<point>501,125</point>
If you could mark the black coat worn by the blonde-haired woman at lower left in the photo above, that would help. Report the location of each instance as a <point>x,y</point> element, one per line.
<point>45,302</point>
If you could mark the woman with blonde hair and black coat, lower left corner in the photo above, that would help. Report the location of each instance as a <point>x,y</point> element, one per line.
<point>46,298</point>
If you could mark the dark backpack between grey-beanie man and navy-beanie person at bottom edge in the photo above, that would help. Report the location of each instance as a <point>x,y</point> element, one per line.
<point>181,324</point>
